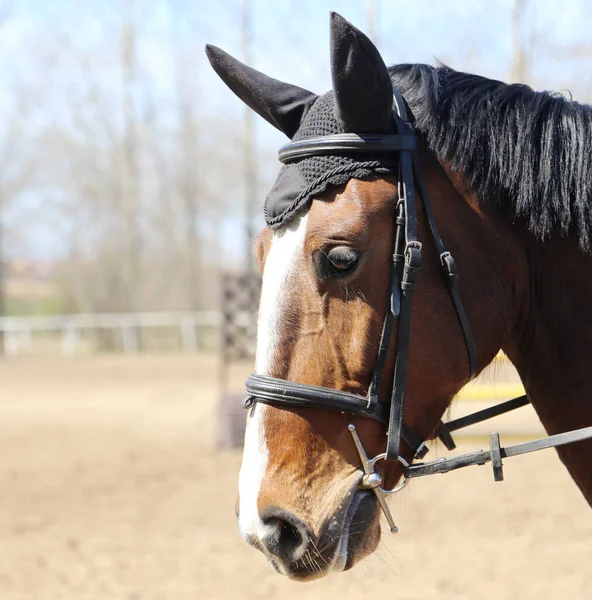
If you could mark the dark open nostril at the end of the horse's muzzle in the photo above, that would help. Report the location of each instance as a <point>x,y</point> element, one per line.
<point>285,536</point>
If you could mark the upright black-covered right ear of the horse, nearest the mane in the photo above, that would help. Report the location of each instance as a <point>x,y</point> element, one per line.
<point>361,82</point>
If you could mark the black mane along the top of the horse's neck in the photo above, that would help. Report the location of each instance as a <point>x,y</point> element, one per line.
<point>525,153</point>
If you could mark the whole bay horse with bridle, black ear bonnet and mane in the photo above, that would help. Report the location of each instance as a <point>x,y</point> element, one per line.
<point>380,171</point>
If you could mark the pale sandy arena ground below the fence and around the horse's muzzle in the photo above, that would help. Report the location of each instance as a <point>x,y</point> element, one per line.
<point>110,488</point>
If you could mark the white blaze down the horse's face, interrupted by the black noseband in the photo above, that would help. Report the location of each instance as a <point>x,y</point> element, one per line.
<point>281,261</point>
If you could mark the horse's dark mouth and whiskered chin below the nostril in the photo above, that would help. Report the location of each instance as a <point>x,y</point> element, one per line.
<point>345,539</point>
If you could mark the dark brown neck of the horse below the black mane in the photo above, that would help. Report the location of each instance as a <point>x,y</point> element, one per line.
<point>552,343</point>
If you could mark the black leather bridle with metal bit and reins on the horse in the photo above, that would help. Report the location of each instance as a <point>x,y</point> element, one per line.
<point>406,261</point>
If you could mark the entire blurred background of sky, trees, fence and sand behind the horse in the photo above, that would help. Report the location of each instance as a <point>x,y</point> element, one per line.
<point>131,187</point>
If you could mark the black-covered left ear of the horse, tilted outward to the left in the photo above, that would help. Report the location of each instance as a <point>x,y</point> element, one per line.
<point>282,104</point>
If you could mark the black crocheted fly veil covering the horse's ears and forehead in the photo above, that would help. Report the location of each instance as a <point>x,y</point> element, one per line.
<point>360,102</point>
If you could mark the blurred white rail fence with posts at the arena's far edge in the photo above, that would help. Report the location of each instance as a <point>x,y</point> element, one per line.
<point>18,332</point>
